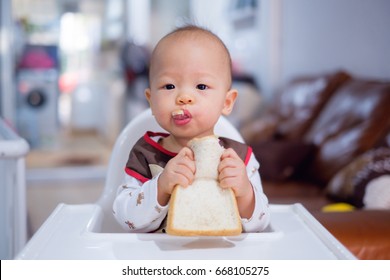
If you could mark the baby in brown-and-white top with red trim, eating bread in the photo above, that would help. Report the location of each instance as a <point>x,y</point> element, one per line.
<point>190,88</point>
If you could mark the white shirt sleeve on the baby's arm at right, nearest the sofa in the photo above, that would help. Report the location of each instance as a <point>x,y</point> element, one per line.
<point>261,215</point>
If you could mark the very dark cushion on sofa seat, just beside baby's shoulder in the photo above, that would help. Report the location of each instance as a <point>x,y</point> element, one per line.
<point>281,159</point>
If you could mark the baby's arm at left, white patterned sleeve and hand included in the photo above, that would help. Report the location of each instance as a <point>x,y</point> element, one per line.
<point>142,207</point>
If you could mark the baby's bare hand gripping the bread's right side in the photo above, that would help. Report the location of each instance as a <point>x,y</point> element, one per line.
<point>232,174</point>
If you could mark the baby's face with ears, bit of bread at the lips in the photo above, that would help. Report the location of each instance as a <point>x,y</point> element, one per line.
<point>190,85</point>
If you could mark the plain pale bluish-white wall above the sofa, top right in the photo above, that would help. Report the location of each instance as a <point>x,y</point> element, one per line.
<point>321,36</point>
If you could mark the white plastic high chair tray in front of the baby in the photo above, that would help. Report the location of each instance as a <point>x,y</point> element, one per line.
<point>72,232</point>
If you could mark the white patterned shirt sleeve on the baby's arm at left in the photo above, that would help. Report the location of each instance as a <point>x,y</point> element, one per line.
<point>136,207</point>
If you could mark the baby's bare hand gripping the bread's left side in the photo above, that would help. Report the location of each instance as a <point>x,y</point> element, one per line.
<point>180,170</point>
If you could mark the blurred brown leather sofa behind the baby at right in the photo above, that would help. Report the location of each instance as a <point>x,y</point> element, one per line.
<point>314,142</point>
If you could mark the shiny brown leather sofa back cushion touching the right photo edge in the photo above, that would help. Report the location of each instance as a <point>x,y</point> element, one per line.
<point>353,121</point>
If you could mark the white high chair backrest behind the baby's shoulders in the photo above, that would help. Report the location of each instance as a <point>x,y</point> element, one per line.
<point>134,130</point>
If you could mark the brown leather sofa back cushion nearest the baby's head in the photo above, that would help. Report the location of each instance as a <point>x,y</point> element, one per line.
<point>294,108</point>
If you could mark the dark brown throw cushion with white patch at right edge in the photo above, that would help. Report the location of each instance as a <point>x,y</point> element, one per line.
<point>364,182</point>
